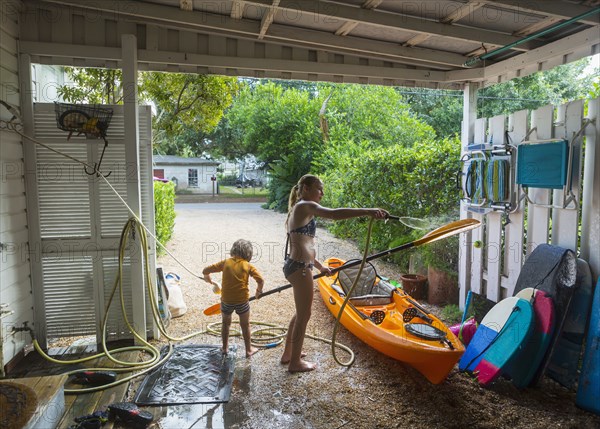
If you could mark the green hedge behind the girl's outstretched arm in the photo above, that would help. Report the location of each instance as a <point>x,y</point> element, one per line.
<point>417,181</point>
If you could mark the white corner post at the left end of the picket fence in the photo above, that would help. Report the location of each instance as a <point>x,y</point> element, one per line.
<point>467,137</point>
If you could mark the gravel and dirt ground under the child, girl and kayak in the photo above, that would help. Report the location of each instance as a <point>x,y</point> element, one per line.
<point>376,392</point>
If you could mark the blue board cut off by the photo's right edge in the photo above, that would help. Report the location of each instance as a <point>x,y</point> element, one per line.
<point>588,393</point>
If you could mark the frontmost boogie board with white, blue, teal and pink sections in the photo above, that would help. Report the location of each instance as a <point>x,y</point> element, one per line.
<point>500,337</point>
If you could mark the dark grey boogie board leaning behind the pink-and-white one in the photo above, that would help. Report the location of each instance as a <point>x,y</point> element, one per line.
<point>553,270</point>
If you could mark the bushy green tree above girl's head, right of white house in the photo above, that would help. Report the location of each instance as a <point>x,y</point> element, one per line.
<point>277,124</point>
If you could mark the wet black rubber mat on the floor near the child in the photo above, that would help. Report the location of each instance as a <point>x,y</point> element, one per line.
<point>194,374</point>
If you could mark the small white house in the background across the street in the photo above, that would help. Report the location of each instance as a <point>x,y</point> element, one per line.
<point>193,174</point>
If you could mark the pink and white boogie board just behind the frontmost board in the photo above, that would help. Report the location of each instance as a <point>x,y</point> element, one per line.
<point>524,367</point>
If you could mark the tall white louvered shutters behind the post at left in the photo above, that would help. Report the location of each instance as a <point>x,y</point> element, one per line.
<point>81,220</point>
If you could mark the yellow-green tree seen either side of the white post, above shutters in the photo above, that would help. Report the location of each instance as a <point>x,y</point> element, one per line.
<point>188,106</point>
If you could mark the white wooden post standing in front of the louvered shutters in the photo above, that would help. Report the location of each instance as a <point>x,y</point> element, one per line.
<point>132,159</point>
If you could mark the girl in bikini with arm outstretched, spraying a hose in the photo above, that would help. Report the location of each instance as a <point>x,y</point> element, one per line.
<point>301,226</point>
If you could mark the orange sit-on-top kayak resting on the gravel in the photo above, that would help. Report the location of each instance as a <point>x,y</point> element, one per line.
<point>393,323</point>
